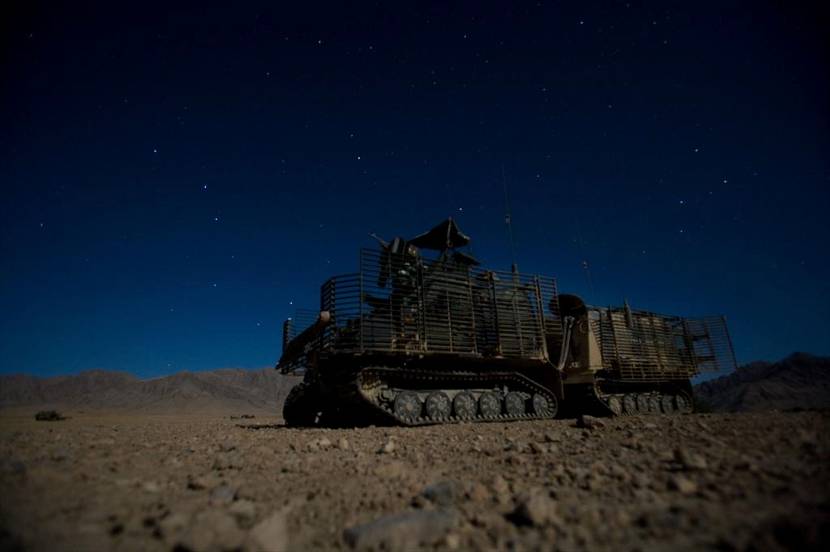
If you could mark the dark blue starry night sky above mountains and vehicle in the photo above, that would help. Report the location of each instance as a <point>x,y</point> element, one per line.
<point>175,182</point>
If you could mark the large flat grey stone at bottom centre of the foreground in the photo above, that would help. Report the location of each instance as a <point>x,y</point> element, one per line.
<point>403,531</point>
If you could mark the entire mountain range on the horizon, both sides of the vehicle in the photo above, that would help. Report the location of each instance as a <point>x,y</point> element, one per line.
<point>799,381</point>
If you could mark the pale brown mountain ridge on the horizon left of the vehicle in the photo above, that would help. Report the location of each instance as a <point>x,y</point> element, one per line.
<point>223,391</point>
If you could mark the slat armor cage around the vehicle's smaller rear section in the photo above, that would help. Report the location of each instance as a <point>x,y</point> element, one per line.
<point>645,346</point>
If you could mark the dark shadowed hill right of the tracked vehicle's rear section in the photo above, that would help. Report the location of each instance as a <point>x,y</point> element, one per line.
<point>799,381</point>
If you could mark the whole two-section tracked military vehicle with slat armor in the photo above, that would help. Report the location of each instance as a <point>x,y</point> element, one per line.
<point>422,334</point>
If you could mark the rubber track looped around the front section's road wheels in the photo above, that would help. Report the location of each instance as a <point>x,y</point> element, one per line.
<point>470,380</point>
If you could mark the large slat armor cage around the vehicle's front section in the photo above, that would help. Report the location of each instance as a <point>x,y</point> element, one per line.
<point>401,303</point>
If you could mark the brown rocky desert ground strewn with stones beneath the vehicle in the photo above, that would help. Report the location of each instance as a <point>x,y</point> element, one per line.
<point>99,482</point>
